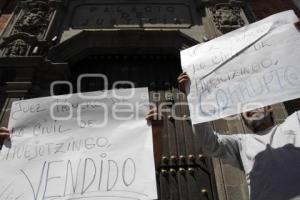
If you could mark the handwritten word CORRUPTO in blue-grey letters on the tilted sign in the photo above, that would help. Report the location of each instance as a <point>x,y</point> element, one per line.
<point>252,90</point>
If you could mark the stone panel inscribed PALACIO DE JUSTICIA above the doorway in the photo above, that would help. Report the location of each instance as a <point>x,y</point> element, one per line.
<point>101,15</point>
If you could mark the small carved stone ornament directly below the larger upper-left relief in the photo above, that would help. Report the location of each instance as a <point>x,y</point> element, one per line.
<point>17,48</point>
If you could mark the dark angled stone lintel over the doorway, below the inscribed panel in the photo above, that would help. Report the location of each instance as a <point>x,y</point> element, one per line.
<point>77,44</point>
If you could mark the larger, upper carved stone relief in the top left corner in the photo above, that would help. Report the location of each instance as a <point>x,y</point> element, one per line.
<point>35,19</point>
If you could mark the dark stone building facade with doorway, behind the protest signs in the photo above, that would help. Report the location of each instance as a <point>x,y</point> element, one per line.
<point>140,41</point>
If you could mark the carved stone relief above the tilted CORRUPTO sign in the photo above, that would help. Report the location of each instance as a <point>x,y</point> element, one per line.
<point>227,17</point>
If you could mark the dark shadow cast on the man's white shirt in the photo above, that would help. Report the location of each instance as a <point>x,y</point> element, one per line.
<point>276,174</point>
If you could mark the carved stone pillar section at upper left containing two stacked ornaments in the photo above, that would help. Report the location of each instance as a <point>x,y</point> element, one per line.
<point>28,28</point>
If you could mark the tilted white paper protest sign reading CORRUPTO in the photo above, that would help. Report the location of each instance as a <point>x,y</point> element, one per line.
<point>251,67</point>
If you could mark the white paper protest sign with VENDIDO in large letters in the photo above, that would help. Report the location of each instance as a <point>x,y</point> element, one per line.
<point>78,148</point>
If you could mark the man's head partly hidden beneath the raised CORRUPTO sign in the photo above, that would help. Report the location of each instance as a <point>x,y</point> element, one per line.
<point>259,119</point>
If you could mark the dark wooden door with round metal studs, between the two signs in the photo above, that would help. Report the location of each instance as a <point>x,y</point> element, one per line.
<point>183,173</point>
